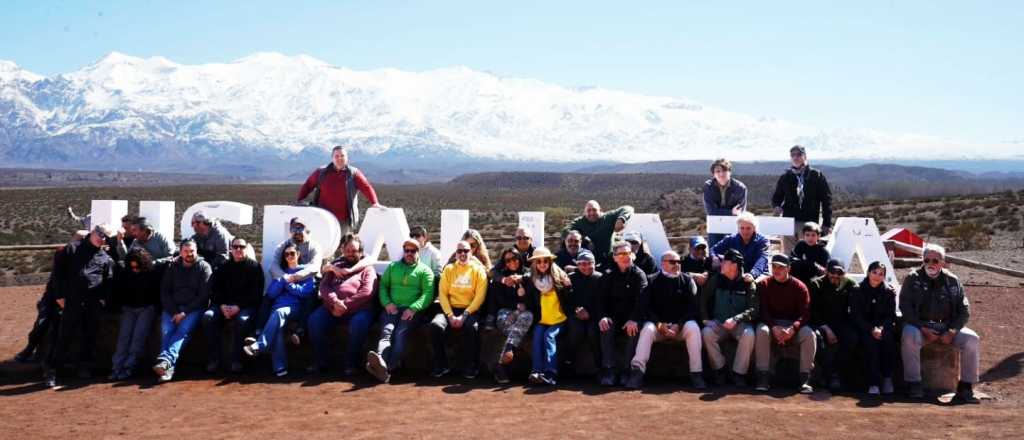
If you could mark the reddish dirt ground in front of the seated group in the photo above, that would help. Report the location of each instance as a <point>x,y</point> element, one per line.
<point>197,406</point>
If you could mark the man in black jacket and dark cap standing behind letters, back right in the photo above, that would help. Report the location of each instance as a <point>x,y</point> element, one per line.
<point>802,193</point>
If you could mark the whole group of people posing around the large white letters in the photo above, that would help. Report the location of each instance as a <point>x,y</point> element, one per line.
<point>602,290</point>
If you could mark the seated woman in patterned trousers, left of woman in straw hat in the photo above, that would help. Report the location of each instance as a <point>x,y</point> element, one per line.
<point>504,302</point>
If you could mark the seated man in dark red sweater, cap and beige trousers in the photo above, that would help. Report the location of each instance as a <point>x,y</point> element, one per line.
<point>786,312</point>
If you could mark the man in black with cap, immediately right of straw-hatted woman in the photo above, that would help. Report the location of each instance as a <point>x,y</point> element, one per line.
<point>582,326</point>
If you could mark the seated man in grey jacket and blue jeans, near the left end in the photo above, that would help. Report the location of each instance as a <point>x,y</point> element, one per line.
<point>185,293</point>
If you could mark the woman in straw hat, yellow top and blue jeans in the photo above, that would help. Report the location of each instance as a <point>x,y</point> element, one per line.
<point>546,289</point>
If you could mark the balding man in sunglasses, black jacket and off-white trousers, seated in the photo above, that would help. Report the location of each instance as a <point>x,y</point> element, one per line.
<point>669,310</point>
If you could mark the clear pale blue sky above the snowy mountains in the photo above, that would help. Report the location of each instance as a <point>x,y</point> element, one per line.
<point>941,68</point>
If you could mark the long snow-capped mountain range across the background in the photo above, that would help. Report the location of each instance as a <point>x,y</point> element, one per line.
<point>270,108</point>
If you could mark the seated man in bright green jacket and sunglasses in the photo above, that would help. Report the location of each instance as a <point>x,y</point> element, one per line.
<point>406,289</point>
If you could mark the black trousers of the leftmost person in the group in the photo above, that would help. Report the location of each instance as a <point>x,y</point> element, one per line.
<point>80,319</point>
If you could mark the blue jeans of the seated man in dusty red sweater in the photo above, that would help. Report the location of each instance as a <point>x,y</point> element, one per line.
<point>322,322</point>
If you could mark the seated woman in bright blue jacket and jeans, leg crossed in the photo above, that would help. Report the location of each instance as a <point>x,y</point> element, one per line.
<point>286,304</point>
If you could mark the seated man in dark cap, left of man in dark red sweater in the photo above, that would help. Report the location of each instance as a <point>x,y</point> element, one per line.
<point>730,310</point>
